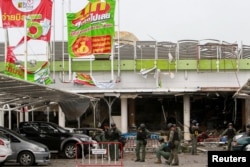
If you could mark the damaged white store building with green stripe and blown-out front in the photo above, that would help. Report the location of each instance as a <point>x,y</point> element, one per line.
<point>178,81</point>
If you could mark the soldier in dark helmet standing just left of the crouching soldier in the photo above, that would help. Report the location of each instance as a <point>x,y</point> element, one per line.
<point>141,142</point>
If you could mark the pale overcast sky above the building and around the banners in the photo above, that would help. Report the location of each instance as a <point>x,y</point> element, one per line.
<point>168,20</point>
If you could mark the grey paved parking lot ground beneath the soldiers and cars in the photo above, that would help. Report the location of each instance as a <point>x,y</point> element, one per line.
<point>186,159</point>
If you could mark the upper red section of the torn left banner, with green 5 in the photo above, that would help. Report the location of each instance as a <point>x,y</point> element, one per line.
<point>38,15</point>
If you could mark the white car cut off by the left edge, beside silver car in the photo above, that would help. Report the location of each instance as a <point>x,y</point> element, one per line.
<point>5,148</point>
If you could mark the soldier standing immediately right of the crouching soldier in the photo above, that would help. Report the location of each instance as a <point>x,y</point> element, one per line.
<point>173,141</point>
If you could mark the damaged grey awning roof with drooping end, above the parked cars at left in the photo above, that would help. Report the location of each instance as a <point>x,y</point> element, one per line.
<point>19,94</point>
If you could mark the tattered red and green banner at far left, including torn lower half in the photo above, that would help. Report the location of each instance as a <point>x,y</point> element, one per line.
<point>38,14</point>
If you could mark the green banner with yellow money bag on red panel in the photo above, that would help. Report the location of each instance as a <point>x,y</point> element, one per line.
<point>91,30</point>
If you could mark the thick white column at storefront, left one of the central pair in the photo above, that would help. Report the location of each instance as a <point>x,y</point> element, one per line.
<point>124,115</point>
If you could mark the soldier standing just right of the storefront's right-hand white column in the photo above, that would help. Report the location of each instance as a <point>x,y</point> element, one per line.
<point>194,132</point>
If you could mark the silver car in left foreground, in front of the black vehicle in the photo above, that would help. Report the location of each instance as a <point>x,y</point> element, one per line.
<point>25,151</point>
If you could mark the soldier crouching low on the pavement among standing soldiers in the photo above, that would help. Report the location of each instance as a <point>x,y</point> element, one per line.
<point>163,150</point>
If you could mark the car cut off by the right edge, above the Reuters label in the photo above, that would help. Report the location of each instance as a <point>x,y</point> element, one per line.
<point>241,142</point>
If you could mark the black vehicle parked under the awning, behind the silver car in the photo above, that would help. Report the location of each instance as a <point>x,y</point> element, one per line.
<point>56,138</point>
